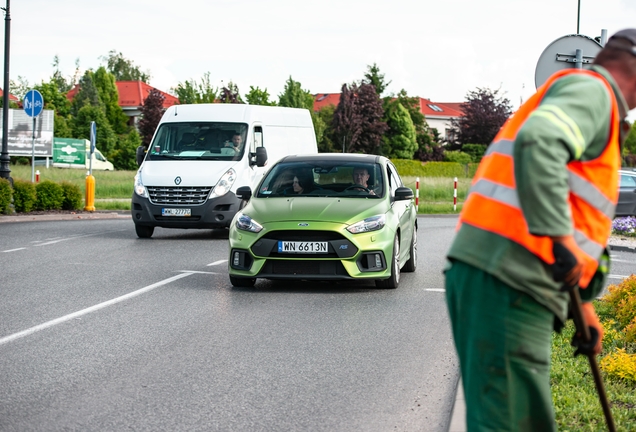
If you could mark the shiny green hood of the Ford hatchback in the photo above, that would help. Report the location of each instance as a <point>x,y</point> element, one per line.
<point>323,209</point>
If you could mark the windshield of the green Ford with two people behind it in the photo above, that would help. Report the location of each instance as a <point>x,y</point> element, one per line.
<point>321,179</point>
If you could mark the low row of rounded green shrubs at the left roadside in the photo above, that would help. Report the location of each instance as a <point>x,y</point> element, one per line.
<point>46,195</point>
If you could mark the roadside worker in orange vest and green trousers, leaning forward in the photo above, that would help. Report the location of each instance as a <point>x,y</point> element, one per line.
<point>550,176</point>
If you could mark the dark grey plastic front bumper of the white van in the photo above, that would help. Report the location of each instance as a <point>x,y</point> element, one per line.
<point>213,213</point>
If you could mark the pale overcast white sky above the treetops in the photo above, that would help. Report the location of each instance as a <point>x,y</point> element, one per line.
<point>438,50</point>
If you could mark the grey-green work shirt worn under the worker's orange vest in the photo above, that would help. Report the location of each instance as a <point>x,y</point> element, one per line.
<point>572,122</point>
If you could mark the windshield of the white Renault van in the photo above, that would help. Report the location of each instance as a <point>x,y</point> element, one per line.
<point>198,140</point>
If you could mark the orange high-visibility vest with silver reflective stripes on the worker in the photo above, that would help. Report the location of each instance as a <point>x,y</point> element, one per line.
<point>493,202</point>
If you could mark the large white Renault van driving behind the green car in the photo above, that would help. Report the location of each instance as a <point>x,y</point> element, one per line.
<point>200,154</point>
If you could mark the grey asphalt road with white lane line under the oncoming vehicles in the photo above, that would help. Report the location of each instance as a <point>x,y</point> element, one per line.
<point>100,330</point>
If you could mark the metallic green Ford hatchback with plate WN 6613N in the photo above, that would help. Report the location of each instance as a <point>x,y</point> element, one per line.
<point>325,217</point>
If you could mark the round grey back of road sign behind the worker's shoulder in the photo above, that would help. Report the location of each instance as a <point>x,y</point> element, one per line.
<point>562,54</point>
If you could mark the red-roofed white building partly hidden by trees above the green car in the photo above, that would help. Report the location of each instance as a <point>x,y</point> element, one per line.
<point>438,114</point>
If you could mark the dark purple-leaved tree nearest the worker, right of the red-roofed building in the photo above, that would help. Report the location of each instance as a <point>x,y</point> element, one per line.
<point>484,114</point>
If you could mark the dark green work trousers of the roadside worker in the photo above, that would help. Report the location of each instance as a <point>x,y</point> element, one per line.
<point>503,339</point>
